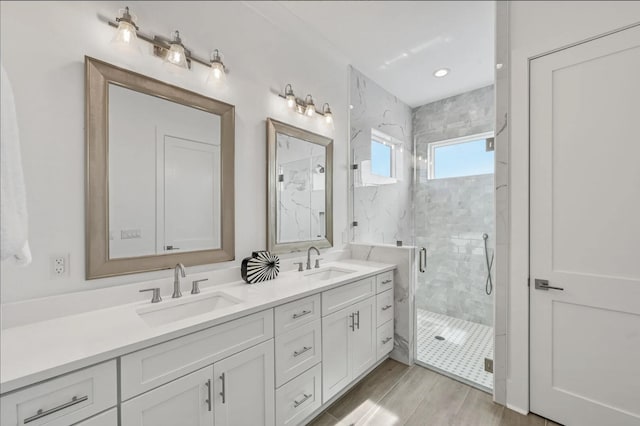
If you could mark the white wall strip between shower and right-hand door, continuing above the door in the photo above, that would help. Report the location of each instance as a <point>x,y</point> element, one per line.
<point>537,27</point>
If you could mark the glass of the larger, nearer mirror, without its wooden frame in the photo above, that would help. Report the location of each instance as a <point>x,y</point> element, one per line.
<point>164,176</point>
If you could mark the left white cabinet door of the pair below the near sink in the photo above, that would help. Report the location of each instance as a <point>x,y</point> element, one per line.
<point>185,402</point>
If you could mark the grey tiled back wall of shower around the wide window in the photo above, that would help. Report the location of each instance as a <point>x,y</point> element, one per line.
<point>452,214</point>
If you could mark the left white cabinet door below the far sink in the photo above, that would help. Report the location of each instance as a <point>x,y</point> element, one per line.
<point>336,364</point>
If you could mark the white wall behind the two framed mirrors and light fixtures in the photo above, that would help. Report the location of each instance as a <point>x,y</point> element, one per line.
<point>43,46</point>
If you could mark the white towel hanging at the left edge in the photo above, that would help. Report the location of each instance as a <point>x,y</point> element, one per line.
<point>13,203</point>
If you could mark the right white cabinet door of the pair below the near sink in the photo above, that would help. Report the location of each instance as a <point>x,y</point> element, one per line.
<point>244,392</point>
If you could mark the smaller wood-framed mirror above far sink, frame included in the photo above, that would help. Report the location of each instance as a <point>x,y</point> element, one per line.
<point>300,189</point>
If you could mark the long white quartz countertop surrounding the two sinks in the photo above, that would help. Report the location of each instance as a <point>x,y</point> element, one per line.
<point>39,351</point>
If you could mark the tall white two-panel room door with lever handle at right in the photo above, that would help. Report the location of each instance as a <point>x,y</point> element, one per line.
<point>585,232</point>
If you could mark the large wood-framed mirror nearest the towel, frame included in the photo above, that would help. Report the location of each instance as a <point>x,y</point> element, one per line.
<point>160,174</point>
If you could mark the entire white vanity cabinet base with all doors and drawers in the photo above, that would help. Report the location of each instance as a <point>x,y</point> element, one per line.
<point>277,366</point>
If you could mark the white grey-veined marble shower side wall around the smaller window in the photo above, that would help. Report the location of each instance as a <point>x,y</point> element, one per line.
<point>383,211</point>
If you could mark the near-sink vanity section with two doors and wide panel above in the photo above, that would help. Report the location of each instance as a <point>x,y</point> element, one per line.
<point>222,375</point>
